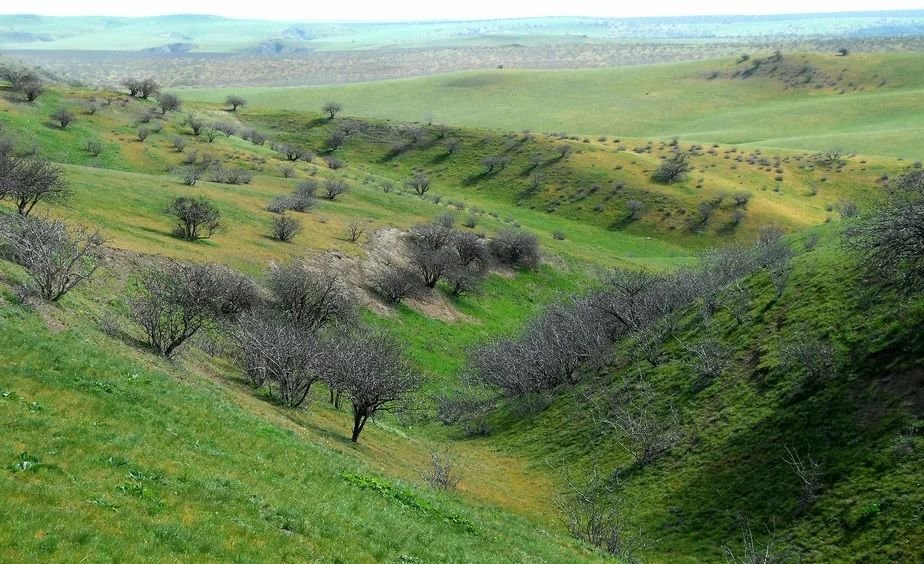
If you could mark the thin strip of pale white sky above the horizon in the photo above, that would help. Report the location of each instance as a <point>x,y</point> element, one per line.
<point>440,9</point>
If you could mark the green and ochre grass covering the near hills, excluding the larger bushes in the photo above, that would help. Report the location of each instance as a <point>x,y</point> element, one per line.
<point>117,453</point>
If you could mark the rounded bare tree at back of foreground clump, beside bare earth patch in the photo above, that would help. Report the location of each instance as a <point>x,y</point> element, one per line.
<point>309,295</point>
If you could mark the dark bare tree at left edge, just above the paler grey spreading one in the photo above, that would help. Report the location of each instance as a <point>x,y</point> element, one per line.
<point>29,181</point>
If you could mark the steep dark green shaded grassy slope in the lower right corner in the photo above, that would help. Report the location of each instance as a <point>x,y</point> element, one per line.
<point>731,465</point>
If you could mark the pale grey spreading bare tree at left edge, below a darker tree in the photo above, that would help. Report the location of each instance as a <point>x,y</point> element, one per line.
<point>56,257</point>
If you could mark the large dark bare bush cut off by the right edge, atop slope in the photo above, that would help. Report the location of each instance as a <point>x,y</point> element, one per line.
<point>891,241</point>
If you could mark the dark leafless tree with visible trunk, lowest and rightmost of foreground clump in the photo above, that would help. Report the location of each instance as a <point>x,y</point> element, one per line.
<point>374,375</point>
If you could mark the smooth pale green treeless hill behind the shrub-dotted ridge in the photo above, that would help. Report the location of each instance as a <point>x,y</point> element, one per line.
<point>653,101</point>
